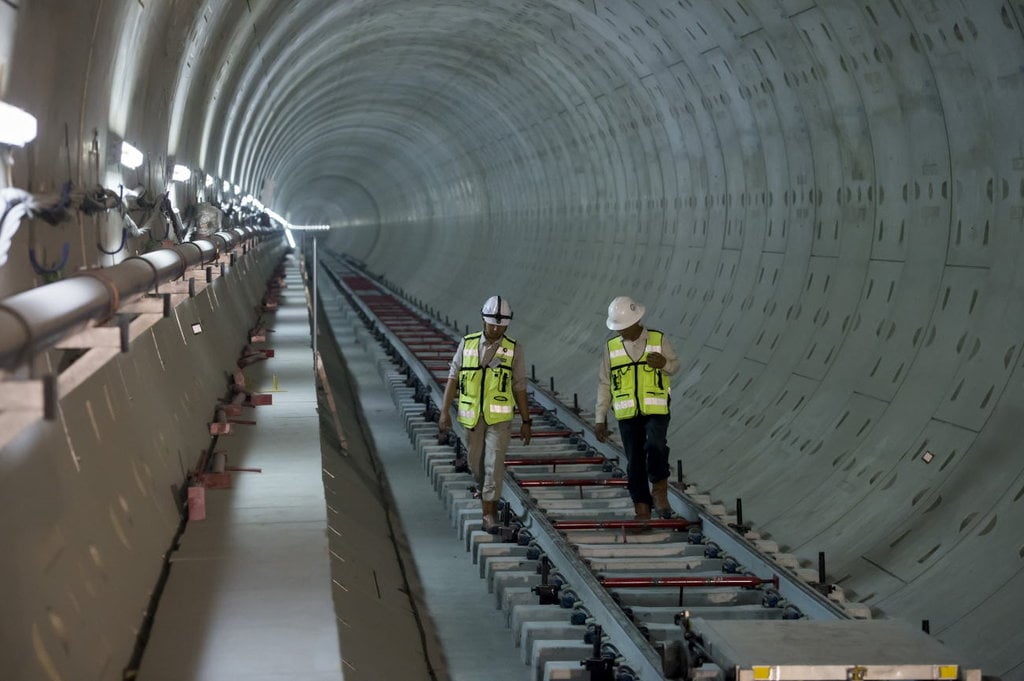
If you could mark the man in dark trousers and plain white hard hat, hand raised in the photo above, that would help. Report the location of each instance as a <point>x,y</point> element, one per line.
<point>634,380</point>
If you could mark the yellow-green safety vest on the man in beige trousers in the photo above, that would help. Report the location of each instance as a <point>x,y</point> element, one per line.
<point>486,391</point>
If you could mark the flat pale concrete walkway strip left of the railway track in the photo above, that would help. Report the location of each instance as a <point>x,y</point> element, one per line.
<point>249,593</point>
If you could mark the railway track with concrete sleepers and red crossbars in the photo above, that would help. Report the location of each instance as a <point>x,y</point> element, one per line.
<point>593,595</point>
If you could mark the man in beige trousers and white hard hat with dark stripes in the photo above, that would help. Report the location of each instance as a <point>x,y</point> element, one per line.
<point>488,374</point>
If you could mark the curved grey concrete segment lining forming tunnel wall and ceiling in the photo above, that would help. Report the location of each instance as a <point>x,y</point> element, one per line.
<point>821,203</point>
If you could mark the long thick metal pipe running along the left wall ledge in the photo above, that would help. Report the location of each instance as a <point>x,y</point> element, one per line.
<point>38,319</point>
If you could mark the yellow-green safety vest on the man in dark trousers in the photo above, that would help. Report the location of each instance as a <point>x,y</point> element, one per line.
<point>636,389</point>
